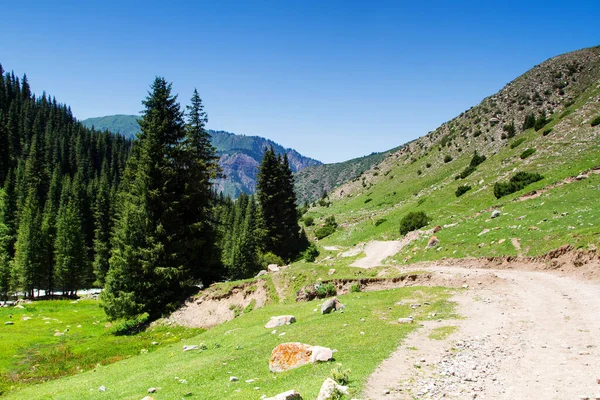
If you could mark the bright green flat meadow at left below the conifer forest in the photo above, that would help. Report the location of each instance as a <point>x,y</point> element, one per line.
<point>30,353</point>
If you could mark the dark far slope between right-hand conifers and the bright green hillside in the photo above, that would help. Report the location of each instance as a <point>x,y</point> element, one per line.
<point>312,182</point>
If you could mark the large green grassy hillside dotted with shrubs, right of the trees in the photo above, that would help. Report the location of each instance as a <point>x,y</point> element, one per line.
<point>421,176</point>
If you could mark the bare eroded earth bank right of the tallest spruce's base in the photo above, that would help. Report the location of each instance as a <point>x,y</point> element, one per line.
<point>213,307</point>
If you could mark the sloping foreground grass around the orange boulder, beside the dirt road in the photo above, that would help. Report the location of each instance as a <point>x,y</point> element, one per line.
<point>242,348</point>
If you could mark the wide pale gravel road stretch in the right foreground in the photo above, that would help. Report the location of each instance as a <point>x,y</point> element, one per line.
<point>526,335</point>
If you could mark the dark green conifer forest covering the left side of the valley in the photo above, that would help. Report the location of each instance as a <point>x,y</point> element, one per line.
<point>141,219</point>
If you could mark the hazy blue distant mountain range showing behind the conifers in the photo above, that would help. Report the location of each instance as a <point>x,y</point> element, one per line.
<point>239,155</point>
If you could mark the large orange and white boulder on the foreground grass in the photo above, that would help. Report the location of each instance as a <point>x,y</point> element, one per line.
<point>288,356</point>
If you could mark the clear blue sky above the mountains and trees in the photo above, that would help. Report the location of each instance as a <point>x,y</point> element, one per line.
<point>332,79</point>
